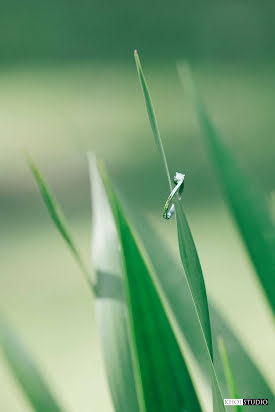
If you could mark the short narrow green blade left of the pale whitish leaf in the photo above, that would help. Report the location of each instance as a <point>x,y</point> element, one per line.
<point>57,216</point>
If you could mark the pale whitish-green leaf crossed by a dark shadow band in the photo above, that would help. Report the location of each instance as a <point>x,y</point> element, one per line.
<point>110,306</point>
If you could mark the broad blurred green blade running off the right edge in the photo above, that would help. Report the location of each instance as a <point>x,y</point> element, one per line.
<point>248,205</point>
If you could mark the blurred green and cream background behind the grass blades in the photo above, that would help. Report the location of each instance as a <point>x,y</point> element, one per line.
<point>68,85</point>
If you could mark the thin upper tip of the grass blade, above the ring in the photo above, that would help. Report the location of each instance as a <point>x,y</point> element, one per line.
<point>152,117</point>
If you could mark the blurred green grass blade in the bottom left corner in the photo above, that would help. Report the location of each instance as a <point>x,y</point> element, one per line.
<point>25,370</point>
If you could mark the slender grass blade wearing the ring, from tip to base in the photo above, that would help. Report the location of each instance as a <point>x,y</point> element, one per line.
<point>190,261</point>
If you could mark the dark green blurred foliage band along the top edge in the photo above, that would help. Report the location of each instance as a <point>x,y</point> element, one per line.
<point>95,29</point>
